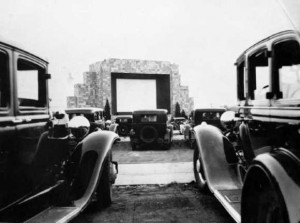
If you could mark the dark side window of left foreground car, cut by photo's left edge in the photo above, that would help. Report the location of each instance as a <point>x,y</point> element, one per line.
<point>4,81</point>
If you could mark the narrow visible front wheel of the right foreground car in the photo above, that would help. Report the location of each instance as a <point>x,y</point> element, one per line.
<point>198,172</point>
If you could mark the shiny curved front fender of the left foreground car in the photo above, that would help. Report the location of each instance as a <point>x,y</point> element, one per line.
<point>101,142</point>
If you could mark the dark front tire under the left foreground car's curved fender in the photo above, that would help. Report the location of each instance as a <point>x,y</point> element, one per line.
<point>104,190</point>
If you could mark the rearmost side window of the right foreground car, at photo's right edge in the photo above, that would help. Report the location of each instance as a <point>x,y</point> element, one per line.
<point>287,66</point>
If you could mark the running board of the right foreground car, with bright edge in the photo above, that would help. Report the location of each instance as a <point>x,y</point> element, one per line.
<point>231,201</point>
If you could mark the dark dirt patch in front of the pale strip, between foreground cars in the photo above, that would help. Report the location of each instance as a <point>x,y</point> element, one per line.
<point>158,203</point>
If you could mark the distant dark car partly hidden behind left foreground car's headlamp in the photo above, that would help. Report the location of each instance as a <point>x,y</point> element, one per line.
<point>94,115</point>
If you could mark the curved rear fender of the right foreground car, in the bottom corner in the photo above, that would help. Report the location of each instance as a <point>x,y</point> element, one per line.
<point>281,170</point>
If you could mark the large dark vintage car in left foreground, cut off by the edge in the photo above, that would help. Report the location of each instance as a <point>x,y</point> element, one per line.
<point>50,168</point>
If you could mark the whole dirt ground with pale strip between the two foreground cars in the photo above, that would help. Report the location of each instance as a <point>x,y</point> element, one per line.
<point>170,202</point>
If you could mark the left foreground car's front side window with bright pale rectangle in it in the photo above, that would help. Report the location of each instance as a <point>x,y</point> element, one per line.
<point>31,84</point>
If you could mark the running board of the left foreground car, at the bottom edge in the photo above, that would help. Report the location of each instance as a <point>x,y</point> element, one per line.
<point>55,214</point>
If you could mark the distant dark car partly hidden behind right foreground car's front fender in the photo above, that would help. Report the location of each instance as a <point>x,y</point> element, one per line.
<point>209,115</point>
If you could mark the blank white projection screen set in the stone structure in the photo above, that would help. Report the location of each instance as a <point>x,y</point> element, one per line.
<point>135,94</point>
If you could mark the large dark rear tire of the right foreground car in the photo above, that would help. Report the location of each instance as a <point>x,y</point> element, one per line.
<point>262,200</point>
